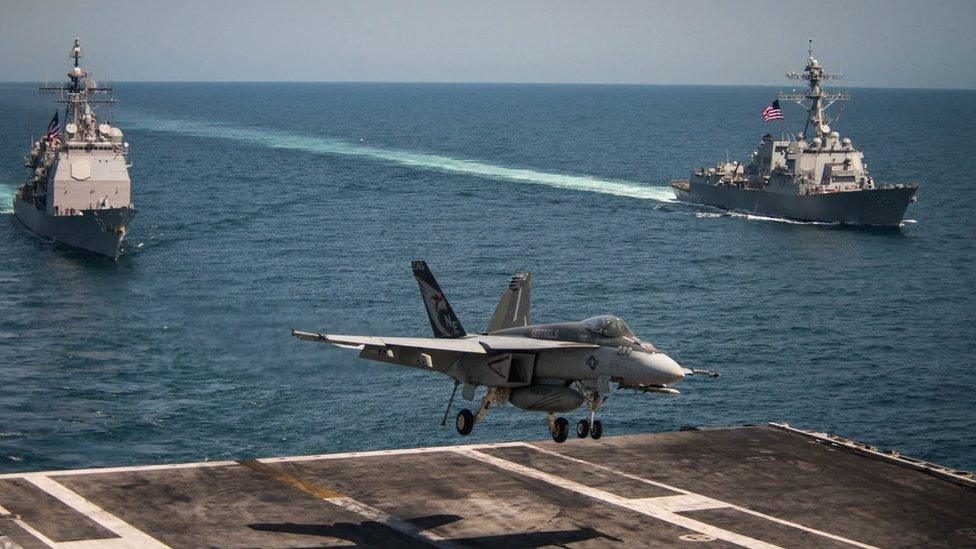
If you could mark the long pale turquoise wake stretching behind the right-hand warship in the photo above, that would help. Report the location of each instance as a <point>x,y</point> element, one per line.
<point>411,159</point>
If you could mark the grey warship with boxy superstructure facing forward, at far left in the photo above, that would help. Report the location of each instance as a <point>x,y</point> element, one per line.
<point>79,191</point>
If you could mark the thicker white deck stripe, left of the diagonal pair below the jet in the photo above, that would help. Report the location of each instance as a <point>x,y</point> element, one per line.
<point>641,506</point>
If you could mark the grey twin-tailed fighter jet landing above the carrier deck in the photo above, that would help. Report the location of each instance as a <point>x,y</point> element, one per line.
<point>553,368</point>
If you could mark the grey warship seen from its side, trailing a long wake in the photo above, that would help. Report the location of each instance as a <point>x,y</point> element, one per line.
<point>823,179</point>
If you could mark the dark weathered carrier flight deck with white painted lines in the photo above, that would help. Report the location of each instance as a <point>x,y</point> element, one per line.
<point>750,487</point>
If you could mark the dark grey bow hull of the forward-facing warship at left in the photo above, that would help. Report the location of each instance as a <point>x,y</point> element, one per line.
<point>89,231</point>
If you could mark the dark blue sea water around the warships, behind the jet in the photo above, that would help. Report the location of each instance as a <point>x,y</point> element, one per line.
<point>265,207</point>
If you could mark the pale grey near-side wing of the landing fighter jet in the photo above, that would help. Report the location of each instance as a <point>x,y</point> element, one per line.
<point>470,344</point>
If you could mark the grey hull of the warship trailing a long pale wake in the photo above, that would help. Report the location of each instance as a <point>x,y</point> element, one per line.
<point>883,207</point>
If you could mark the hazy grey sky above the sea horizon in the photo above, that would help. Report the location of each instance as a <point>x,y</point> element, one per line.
<point>877,43</point>
